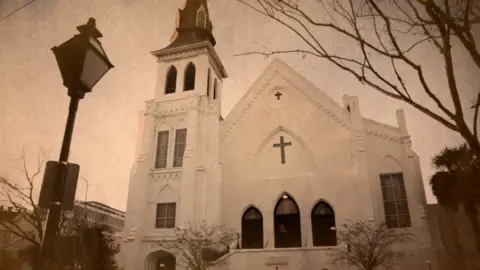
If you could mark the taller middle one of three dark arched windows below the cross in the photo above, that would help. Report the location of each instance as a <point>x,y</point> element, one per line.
<point>287,223</point>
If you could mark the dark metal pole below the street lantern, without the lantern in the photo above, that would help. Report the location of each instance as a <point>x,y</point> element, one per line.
<point>54,214</point>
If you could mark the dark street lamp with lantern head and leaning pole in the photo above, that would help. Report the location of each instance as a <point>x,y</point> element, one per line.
<point>82,63</point>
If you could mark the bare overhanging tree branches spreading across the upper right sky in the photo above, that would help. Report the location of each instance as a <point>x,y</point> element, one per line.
<point>387,32</point>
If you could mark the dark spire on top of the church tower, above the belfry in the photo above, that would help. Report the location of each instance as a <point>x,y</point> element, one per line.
<point>193,25</point>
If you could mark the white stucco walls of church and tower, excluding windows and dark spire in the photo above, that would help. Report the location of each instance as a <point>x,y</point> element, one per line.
<point>335,155</point>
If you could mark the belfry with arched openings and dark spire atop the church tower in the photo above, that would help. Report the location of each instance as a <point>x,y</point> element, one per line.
<point>189,64</point>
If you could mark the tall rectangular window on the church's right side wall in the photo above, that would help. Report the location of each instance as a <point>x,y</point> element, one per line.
<point>395,202</point>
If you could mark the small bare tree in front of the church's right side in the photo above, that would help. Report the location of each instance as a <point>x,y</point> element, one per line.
<point>368,246</point>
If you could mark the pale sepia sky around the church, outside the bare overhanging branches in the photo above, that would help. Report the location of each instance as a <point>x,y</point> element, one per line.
<point>34,103</point>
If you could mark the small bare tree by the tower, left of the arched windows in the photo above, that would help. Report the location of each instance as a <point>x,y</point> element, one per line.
<point>200,245</point>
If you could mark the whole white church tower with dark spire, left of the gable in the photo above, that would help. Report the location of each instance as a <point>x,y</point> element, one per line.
<point>176,175</point>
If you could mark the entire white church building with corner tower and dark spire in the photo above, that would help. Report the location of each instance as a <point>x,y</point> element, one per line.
<point>285,168</point>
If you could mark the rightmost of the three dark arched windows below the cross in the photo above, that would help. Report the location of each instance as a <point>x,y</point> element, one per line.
<point>323,225</point>
